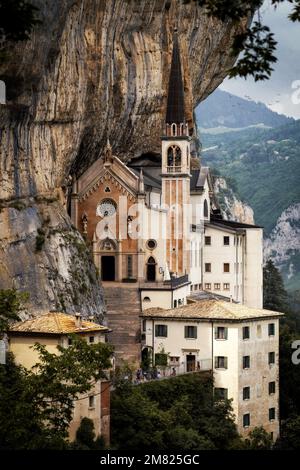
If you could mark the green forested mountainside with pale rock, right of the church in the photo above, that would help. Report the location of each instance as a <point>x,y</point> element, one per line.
<point>263,168</point>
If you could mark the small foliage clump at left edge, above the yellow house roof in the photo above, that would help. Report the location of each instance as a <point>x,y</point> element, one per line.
<point>11,303</point>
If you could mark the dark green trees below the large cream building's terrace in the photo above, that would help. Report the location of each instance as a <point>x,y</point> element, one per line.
<point>178,413</point>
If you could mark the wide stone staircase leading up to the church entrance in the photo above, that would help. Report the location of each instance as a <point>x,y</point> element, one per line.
<point>123,309</point>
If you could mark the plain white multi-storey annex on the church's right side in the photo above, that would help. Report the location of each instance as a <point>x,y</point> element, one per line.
<point>232,261</point>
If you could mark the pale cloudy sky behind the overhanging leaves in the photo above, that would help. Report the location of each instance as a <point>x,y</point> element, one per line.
<point>282,92</point>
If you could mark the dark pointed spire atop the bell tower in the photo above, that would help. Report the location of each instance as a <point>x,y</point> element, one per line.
<point>175,107</point>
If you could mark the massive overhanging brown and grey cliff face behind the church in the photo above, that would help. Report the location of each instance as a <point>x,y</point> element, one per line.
<point>93,69</point>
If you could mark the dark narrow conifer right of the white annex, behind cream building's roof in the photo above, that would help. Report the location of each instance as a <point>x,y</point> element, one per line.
<point>274,294</point>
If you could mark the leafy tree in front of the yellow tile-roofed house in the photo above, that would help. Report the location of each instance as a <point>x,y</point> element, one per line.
<point>36,405</point>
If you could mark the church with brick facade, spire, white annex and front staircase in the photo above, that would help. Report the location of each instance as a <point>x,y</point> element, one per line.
<point>156,230</point>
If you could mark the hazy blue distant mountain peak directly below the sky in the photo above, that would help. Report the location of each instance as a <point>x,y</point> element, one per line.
<point>222,109</point>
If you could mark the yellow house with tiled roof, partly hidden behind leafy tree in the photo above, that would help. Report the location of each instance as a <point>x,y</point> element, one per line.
<point>53,329</point>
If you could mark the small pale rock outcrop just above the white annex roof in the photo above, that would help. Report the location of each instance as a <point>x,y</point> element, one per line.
<point>232,207</point>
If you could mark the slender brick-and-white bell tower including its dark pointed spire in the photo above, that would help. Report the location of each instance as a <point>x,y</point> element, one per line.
<point>176,175</point>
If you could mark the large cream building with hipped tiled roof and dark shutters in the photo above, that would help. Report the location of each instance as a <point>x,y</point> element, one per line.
<point>240,345</point>
